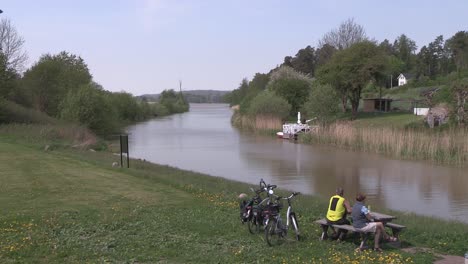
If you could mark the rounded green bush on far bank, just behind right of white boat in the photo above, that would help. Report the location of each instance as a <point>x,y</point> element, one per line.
<point>322,103</point>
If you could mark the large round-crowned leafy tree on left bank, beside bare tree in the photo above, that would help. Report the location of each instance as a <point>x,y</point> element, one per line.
<point>52,77</point>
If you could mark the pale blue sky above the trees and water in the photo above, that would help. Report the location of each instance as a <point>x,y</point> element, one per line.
<point>146,46</point>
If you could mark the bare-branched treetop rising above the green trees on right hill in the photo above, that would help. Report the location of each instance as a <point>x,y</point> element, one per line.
<point>347,34</point>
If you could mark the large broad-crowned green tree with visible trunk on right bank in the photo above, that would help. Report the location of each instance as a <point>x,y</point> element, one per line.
<point>351,69</point>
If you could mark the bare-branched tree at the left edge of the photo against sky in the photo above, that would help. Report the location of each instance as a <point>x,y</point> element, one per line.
<point>11,45</point>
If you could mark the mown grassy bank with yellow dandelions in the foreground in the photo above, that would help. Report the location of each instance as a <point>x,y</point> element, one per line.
<point>70,205</point>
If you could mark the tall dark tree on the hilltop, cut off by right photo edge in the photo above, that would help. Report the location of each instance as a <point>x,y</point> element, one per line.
<point>458,45</point>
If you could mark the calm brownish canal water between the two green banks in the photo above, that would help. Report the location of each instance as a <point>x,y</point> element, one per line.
<point>203,140</point>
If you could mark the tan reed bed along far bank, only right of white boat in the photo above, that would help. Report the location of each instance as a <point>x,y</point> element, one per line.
<point>447,147</point>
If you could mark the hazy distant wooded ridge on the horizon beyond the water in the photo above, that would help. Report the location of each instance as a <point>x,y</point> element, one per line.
<point>194,96</point>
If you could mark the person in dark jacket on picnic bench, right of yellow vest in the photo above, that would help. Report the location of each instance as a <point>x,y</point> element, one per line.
<point>362,219</point>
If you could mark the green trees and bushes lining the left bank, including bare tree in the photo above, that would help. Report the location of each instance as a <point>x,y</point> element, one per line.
<point>61,87</point>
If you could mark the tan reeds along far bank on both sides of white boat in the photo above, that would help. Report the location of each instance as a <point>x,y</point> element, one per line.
<point>443,147</point>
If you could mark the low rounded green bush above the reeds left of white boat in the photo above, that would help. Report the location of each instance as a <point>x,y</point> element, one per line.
<point>269,104</point>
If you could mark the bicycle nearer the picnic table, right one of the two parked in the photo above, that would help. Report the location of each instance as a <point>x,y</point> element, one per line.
<point>275,230</point>
